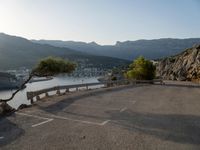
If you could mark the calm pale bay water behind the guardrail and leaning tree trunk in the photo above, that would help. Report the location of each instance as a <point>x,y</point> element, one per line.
<point>21,98</point>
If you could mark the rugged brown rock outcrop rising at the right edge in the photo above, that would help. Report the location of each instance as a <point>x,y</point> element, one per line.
<point>182,67</point>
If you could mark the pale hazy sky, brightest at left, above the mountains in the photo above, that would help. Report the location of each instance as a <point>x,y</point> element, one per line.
<point>103,21</point>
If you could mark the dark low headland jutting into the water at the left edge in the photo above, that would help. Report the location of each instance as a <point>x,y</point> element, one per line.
<point>9,81</point>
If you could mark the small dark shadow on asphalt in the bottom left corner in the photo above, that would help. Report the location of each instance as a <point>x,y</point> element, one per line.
<point>8,131</point>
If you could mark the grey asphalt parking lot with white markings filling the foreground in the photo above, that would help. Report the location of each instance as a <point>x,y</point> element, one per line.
<point>128,117</point>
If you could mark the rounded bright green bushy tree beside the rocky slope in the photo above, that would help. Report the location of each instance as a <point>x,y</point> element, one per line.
<point>141,69</point>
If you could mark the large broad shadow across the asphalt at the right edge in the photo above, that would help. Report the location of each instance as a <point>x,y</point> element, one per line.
<point>172,127</point>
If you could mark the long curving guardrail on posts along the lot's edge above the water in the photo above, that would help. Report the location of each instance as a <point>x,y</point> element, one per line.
<point>32,94</point>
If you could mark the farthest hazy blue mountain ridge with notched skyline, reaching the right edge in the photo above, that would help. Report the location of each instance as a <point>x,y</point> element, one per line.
<point>151,49</point>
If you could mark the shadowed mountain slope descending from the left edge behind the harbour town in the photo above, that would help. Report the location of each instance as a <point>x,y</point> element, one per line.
<point>19,52</point>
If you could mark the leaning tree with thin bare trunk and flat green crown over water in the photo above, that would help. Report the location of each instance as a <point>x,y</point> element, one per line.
<point>49,66</point>
